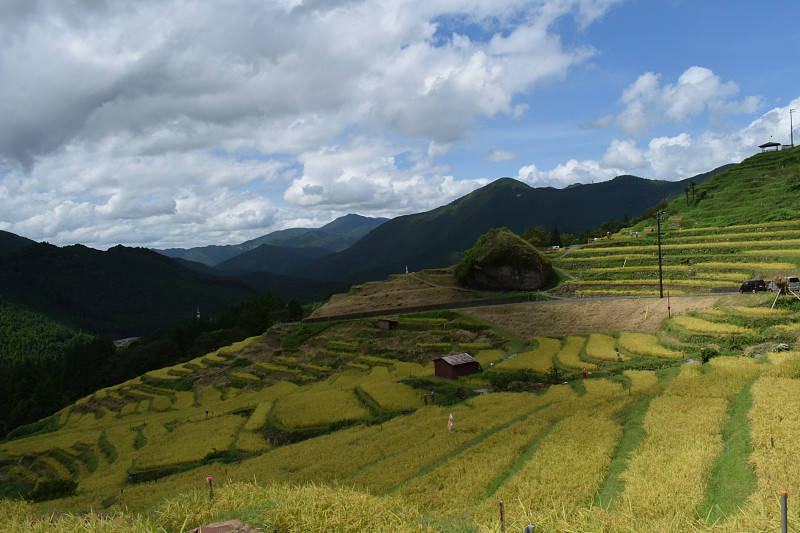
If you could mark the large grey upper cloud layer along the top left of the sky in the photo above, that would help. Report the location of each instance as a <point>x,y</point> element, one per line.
<point>185,69</point>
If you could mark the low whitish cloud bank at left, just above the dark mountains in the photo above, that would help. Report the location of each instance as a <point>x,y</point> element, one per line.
<point>89,196</point>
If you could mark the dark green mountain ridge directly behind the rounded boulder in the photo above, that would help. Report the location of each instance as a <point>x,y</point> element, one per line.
<point>437,238</point>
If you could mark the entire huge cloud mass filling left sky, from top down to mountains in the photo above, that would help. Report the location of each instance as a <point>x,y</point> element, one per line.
<point>156,121</point>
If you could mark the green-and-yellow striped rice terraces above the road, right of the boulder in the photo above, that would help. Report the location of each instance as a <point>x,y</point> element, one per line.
<point>694,260</point>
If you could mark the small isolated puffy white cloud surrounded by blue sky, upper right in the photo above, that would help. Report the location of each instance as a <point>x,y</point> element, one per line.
<point>648,103</point>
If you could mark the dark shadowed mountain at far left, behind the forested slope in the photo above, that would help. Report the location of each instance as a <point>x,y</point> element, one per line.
<point>126,292</point>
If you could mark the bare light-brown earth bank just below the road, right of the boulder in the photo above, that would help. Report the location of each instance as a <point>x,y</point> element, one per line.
<point>576,317</point>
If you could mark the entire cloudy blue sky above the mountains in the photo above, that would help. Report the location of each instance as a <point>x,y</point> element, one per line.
<point>177,123</point>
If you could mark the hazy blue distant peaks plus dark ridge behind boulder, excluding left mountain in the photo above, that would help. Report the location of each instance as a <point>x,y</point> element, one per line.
<point>378,248</point>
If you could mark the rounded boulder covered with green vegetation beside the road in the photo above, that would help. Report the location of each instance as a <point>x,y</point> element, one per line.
<point>500,260</point>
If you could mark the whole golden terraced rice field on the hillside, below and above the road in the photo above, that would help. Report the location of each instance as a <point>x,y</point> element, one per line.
<point>690,394</point>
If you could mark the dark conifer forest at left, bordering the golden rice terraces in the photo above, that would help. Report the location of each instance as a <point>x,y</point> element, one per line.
<point>45,365</point>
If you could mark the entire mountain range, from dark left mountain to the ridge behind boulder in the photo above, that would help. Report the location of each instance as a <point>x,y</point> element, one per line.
<point>128,291</point>
